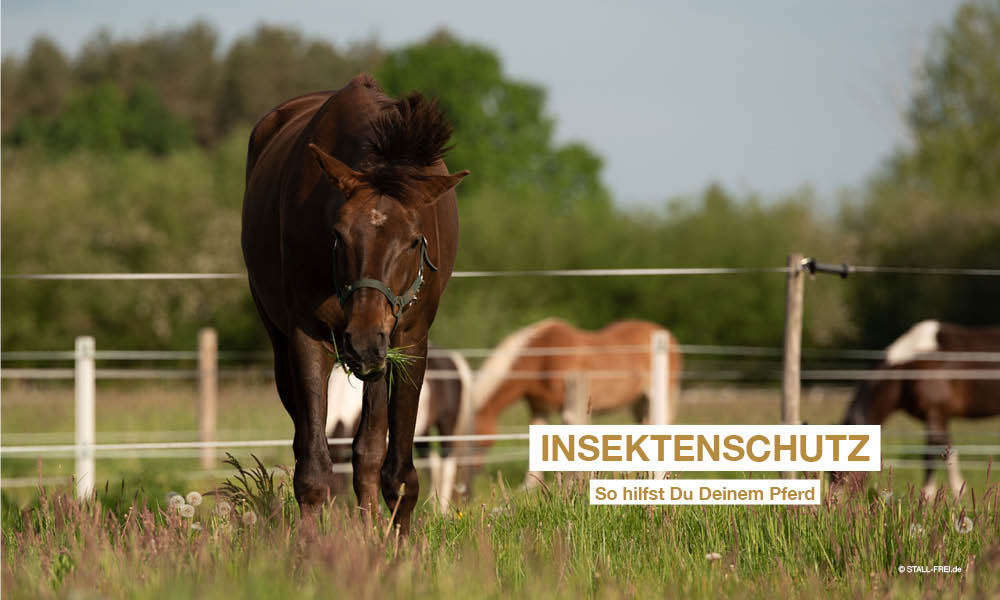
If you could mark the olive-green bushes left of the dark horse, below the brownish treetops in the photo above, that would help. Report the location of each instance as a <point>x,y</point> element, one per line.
<point>134,213</point>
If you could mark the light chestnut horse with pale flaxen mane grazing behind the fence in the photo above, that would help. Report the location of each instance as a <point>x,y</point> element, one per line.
<point>533,363</point>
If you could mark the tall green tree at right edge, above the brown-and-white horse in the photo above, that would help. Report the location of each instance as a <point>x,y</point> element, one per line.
<point>937,204</point>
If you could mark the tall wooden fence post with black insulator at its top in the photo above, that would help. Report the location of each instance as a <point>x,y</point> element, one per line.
<point>791,383</point>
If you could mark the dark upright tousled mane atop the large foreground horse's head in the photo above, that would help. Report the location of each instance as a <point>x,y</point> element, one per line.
<point>410,135</point>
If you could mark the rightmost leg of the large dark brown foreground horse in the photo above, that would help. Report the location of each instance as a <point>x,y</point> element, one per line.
<point>400,485</point>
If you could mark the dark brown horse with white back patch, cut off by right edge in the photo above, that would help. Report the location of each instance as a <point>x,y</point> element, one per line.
<point>933,400</point>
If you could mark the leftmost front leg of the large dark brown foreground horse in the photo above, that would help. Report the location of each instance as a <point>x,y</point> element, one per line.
<point>310,364</point>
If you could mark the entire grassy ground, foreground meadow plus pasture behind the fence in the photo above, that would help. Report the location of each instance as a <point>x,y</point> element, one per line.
<point>499,541</point>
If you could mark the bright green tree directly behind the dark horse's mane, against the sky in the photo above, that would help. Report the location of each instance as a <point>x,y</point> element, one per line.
<point>502,133</point>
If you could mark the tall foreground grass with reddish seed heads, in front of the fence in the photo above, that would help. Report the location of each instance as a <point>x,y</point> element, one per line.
<point>547,543</point>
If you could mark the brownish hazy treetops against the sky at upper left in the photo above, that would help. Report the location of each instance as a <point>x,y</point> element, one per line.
<point>212,91</point>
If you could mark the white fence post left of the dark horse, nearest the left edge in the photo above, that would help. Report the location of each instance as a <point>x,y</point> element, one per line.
<point>85,392</point>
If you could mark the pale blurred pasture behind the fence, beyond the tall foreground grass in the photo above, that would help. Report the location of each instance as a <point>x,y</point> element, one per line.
<point>148,412</point>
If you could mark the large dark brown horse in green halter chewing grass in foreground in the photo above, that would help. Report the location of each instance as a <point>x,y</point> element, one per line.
<point>350,231</point>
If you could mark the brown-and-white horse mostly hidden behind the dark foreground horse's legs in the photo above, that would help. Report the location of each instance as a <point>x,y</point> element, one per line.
<point>445,409</point>
